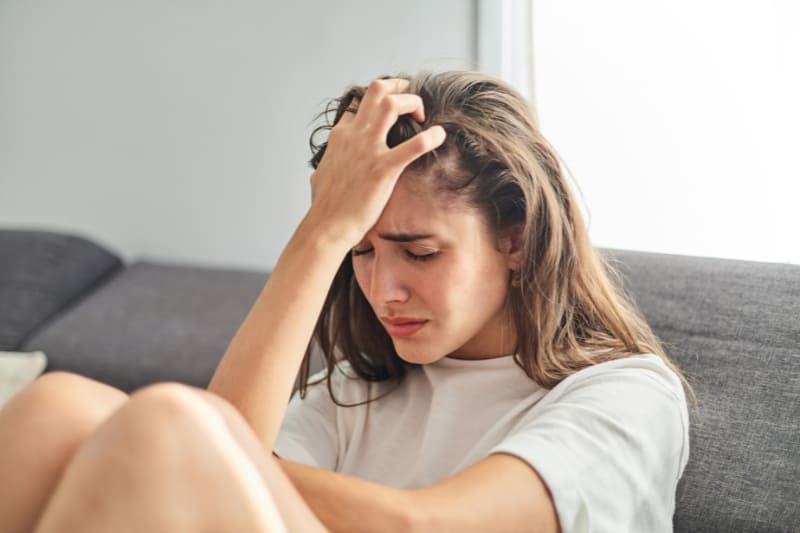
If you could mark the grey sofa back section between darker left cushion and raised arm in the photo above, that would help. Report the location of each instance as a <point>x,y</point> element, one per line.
<point>152,322</point>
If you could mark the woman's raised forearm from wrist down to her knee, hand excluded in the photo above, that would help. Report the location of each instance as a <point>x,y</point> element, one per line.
<point>258,370</point>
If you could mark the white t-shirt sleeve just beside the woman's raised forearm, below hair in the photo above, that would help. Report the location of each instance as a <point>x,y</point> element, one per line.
<point>308,432</point>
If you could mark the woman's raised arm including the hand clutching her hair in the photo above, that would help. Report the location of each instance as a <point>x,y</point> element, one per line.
<point>350,188</point>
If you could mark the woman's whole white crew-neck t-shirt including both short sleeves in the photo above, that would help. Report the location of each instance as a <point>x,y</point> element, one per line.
<point>610,441</point>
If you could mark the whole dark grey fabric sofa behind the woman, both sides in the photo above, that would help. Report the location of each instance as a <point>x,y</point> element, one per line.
<point>732,326</point>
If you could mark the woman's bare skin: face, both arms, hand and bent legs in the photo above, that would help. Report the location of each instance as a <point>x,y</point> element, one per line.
<point>127,464</point>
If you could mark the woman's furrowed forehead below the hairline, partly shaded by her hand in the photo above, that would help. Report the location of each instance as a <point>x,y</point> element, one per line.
<point>416,206</point>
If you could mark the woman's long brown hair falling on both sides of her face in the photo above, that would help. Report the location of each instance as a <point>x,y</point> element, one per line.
<point>568,308</point>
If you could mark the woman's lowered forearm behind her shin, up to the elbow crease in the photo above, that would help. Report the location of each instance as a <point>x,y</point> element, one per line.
<point>348,504</point>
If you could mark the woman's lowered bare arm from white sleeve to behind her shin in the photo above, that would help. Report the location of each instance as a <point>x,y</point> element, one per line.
<point>499,493</point>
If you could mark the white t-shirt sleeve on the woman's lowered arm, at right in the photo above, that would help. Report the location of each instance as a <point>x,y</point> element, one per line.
<point>610,443</point>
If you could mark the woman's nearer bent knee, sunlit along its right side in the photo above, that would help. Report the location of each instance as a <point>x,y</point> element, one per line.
<point>143,455</point>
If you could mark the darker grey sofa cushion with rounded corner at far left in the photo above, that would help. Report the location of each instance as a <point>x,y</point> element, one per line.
<point>43,273</point>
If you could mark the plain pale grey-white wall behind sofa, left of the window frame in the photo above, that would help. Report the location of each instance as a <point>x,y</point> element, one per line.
<point>179,130</point>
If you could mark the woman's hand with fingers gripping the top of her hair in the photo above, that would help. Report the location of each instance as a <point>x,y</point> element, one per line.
<point>358,172</point>
